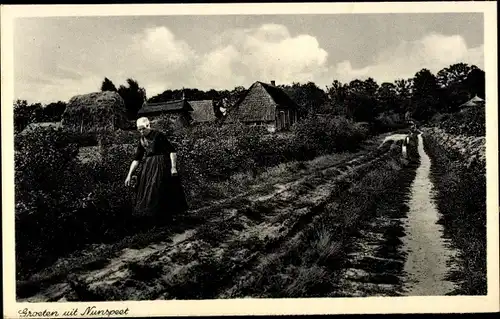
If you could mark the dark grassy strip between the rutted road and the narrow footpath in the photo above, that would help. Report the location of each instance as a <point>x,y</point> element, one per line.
<point>323,243</point>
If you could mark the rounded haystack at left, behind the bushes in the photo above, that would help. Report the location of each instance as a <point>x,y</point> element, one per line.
<point>97,112</point>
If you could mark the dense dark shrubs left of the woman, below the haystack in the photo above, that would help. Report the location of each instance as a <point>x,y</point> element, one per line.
<point>63,204</point>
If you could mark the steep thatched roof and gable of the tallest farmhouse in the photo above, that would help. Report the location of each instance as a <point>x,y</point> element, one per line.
<point>259,104</point>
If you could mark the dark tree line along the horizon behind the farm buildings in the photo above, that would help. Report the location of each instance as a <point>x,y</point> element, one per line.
<point>423,95</point>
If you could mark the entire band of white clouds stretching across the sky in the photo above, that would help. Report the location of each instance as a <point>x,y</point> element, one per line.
<point>159,60</point>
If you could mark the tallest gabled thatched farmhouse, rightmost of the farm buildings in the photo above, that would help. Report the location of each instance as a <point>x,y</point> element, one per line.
<point>264,105</point>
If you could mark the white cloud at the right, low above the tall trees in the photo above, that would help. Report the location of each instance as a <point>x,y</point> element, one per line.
<point>434,52</point>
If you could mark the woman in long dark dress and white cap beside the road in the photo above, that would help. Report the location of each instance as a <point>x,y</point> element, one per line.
<point>159,191</point>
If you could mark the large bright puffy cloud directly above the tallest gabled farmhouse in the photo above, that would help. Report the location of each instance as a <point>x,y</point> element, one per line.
<point>270,52</point>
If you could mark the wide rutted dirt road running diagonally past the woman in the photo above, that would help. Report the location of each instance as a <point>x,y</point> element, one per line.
<point>210,259</point>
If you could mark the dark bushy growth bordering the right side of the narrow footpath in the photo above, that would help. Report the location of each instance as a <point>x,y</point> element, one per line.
<point>460,194</point>
